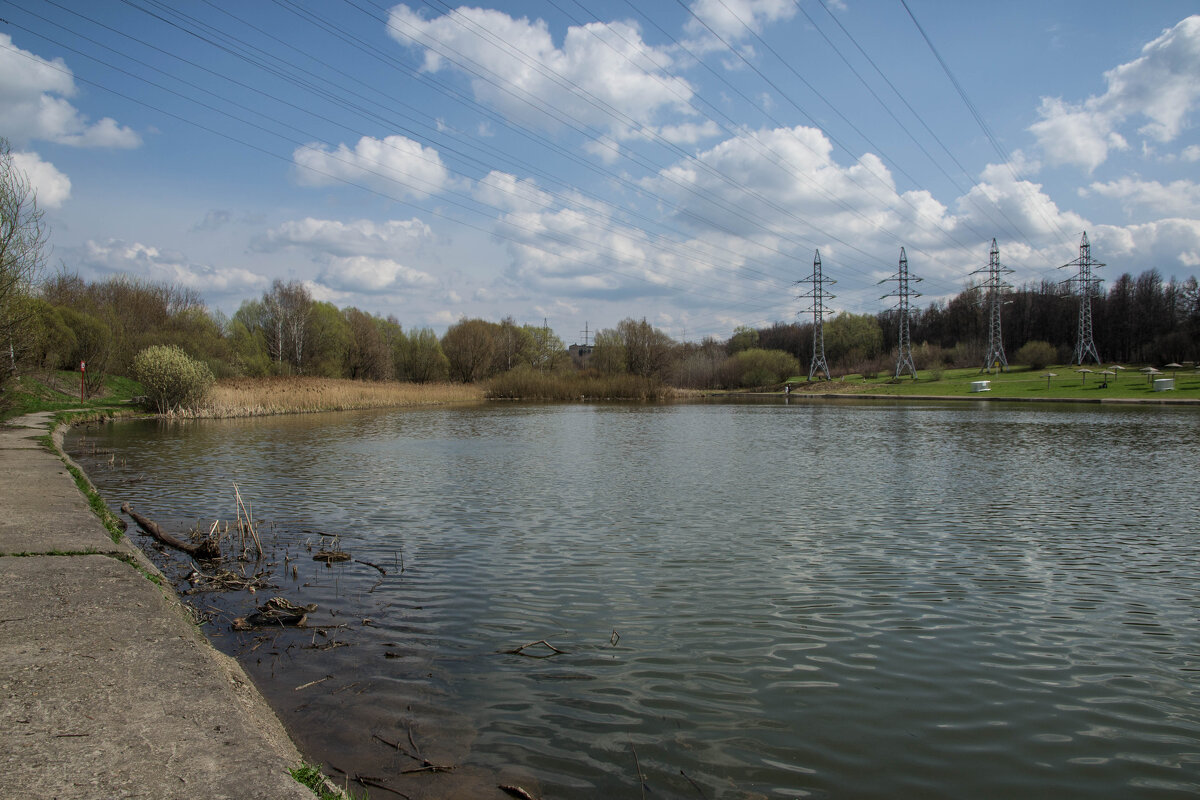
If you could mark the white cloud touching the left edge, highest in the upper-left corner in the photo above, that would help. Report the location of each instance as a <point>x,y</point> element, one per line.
<point>33,105</point>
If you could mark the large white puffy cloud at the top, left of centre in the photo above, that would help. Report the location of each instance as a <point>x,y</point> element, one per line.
<point>603,76</point>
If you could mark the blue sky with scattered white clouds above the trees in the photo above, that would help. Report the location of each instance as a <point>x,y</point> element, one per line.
<point>579,163</point>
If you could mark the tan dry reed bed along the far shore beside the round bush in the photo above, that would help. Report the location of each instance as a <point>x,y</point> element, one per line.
<point>263,396</point>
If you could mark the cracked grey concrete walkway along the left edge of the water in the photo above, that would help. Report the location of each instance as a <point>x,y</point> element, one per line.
<point>107,689</point>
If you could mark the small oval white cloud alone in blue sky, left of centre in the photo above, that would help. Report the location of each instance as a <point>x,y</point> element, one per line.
<point>395,165</point>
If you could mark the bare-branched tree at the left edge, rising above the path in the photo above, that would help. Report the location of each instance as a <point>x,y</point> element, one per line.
<point>23,245</point>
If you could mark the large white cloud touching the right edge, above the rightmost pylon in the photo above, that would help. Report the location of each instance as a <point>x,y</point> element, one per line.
<point>1160,87</point>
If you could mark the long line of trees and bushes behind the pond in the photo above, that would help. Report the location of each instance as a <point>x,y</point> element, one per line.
<point>287,333</point>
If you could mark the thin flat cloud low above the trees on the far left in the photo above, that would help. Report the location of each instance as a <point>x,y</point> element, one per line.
<point>116,256</point>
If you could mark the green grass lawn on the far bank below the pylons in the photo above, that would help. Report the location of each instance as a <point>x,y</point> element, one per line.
<point>1017,383</point>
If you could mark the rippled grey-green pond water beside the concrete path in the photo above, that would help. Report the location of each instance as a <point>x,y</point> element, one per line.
<point>754,600</point>
